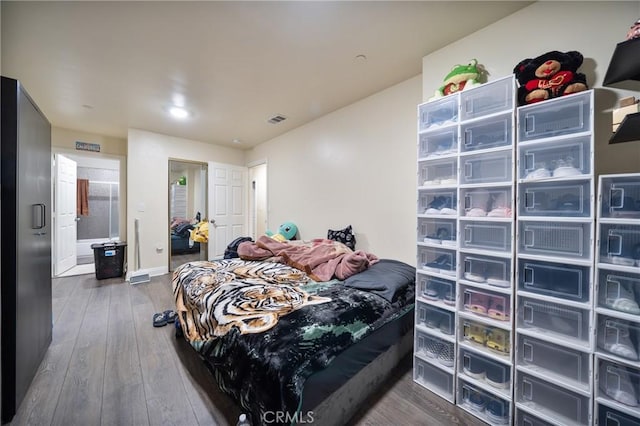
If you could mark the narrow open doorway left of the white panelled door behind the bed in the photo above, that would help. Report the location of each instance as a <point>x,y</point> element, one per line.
<point>187,208</point>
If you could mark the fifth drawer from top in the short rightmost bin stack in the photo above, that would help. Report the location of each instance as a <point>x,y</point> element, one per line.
<point>619,384</point>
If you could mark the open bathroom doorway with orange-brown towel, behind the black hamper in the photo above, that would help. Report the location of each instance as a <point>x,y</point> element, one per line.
<point>96,187</point>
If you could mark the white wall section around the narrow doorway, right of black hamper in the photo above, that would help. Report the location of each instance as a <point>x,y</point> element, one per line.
<point>148,193</point>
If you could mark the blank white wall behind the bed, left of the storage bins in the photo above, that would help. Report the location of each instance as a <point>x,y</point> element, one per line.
<point>354,166</point>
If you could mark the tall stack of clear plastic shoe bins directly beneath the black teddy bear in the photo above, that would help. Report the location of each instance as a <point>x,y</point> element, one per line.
<point>554,272</point>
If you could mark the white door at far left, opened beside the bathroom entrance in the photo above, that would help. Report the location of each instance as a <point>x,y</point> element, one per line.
<point>65,202</point>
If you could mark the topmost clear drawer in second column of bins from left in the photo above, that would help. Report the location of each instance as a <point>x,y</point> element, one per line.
<point>489,98</point>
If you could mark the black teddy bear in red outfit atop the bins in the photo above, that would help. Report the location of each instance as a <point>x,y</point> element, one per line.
<point>548,76</point>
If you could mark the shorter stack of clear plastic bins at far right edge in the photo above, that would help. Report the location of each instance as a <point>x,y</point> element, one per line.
<point>617,384</point>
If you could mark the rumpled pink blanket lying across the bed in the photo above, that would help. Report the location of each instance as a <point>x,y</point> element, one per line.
<point>321,259</point>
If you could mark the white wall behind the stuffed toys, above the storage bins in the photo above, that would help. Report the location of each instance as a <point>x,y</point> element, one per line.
<point>592,28</point>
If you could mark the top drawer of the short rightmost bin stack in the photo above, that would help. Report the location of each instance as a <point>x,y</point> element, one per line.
<point>620,196</point>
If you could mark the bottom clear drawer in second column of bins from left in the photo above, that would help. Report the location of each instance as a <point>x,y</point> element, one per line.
<point>488,407</point>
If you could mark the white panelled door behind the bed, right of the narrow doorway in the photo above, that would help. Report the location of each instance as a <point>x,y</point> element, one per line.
<point>227,206</point>
